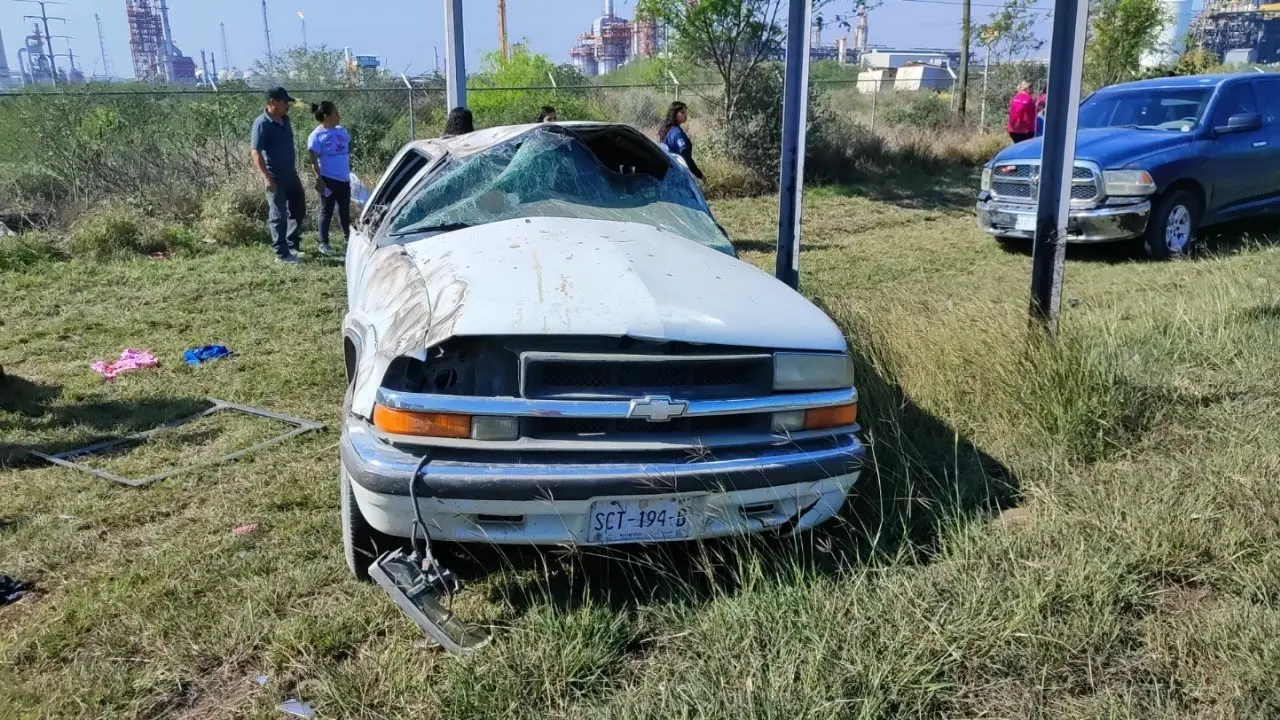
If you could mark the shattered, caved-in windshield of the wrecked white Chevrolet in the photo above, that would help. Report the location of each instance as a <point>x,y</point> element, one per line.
<point>554,175</point>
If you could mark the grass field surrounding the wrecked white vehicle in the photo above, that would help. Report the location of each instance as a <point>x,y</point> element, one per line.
<point>1082,531</point>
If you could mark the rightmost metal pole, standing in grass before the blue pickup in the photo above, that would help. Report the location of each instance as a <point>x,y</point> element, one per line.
<point>1058,161</point>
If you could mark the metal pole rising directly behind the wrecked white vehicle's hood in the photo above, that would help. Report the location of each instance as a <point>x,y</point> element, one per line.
<point>796,101</point>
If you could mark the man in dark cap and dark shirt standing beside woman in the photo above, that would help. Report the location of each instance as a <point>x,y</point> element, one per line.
<point>275,158</point>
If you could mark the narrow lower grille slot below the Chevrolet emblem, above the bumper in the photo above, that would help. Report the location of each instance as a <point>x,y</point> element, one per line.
<point>587,429</point>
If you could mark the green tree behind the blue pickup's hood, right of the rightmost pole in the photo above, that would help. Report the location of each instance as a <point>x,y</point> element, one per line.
<point>1121,34</point>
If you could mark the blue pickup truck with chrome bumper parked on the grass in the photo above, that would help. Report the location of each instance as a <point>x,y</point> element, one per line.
<point>1155,161</point>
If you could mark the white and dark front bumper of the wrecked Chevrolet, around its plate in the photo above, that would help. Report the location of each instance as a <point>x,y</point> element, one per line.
<point>533,499</point>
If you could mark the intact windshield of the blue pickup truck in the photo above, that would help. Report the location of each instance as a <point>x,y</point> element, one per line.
<point>1171,108</point>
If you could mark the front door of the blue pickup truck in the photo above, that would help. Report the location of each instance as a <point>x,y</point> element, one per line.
<point>1235,156</point>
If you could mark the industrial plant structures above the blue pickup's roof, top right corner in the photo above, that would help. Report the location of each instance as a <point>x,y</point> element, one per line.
<point>1237,31</point>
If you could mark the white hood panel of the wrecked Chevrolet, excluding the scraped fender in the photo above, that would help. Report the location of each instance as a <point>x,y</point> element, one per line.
<point>557,276</point>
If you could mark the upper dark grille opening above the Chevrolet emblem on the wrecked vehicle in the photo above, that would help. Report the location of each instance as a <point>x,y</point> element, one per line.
<point>693,377</point>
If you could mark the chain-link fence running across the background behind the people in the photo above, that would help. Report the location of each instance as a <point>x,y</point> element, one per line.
<point>156,144</point>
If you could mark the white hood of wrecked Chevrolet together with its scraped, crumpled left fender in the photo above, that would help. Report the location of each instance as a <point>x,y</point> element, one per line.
<point>568,277</point>
